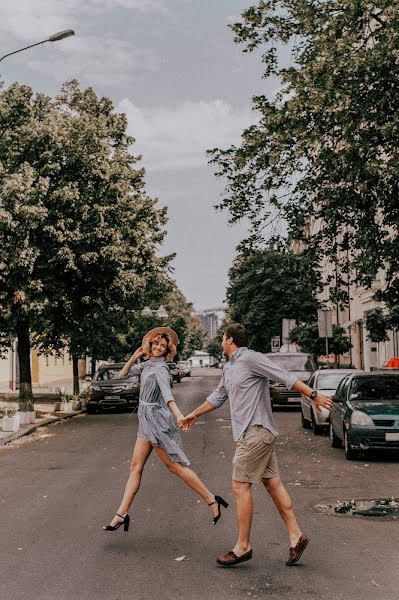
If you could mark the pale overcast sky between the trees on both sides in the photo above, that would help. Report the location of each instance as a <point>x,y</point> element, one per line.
<point>173,68</point>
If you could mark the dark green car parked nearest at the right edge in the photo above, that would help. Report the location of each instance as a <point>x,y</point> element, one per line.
<point>365,415</point>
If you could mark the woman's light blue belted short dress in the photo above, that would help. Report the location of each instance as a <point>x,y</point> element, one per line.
<point>156,423</point>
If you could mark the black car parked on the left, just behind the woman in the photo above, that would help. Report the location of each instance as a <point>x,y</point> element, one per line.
<point>106,391</point>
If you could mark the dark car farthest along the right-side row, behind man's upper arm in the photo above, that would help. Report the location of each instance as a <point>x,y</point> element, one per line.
<point>300,364</point>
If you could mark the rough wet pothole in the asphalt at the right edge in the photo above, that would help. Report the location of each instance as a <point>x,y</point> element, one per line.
<point>387,508</point>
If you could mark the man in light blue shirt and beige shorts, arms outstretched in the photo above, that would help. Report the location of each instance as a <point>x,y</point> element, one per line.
<point>245,384</point>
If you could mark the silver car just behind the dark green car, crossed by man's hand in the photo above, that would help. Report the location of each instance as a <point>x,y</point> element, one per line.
<point>326,382</point>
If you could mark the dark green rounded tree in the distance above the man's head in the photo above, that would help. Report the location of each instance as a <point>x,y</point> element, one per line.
<point>267,286</point>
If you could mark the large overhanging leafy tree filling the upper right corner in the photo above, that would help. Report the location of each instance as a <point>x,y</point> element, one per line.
<point>325,148</point>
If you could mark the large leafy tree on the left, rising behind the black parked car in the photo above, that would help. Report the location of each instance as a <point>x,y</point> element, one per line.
<point>100,269</point>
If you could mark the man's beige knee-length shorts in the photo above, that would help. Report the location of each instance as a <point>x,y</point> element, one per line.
<point>255,458</point>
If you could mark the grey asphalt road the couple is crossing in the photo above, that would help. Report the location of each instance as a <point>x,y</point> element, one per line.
<point>60,485</point>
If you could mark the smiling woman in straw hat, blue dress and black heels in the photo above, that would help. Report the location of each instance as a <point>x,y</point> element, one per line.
<point>157,429</point>
